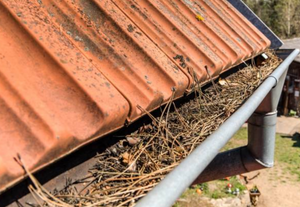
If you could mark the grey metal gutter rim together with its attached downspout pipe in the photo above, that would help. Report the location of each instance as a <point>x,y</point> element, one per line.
<point>257,152</point>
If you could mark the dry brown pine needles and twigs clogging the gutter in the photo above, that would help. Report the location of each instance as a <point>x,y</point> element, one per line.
<point>128,170</point>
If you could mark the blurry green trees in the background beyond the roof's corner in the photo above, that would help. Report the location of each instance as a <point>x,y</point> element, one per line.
<point>282,16</point>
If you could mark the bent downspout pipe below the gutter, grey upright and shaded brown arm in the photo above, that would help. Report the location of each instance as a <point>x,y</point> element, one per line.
<point>258,154</point>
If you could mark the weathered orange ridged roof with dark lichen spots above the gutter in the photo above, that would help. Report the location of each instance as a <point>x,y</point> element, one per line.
<point>75,70</point>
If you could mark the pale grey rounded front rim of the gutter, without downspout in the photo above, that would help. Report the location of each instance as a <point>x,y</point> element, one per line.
<point>175,183</point>
